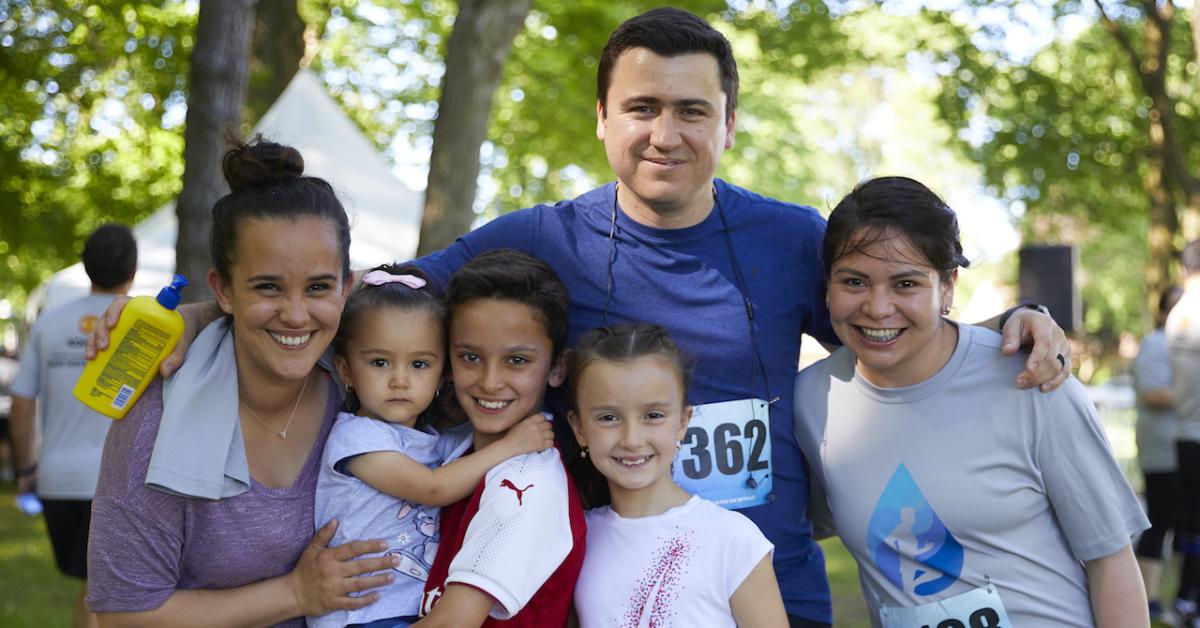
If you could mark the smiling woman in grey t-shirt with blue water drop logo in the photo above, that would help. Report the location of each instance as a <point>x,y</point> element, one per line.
<point>965,501</point>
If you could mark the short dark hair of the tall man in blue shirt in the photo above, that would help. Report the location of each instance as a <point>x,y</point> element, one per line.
<point>670,32</point>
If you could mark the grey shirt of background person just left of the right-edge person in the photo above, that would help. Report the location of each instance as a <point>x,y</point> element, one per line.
<point>1156,427</point>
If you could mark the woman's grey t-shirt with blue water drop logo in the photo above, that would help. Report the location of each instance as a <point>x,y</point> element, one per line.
<point>964,482</point>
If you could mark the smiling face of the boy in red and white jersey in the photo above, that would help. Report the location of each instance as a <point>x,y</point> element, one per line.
<point>501,360</point>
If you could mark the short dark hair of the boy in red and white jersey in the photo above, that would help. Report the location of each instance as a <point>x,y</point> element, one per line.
<point>512,276</point>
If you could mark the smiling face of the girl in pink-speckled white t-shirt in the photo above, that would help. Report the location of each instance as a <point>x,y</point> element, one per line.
<point>631,416</point>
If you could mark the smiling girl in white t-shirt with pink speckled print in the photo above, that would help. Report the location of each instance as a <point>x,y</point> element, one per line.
<point>657,555</point>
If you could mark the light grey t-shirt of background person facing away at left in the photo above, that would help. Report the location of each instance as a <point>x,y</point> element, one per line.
<point>73,434</point>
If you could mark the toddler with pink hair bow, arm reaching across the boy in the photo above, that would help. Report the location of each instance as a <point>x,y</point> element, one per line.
<point>387,469</point>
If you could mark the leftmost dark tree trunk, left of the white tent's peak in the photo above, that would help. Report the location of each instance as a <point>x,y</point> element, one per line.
<point>217,95</point>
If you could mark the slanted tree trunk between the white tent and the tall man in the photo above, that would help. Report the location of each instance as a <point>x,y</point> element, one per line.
<point>478,49</point>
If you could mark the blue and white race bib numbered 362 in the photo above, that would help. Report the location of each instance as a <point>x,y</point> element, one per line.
<point>727,454</point>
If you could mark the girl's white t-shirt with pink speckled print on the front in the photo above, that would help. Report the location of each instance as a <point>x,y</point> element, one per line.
<point>675,570</point>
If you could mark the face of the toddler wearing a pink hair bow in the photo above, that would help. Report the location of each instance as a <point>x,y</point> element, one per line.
<point>394,357</point>
